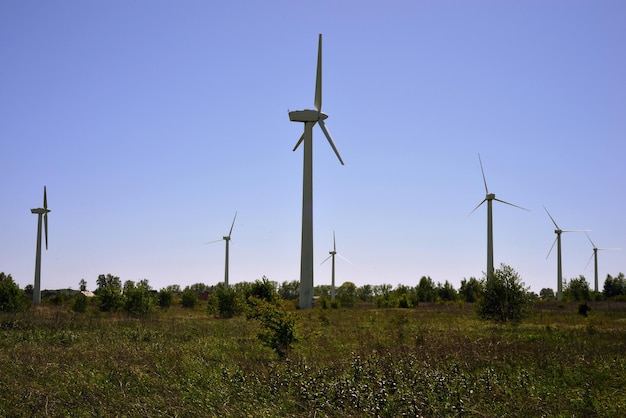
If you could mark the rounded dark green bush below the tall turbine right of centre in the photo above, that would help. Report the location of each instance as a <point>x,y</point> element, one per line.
<point>505,297</point>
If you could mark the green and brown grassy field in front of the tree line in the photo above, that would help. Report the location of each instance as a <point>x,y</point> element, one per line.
<point>434,360</point>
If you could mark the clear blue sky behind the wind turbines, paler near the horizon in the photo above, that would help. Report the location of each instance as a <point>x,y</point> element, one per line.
<point>152,122</point>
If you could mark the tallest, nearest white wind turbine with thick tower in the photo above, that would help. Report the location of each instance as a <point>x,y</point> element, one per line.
<point>310,118</point>
